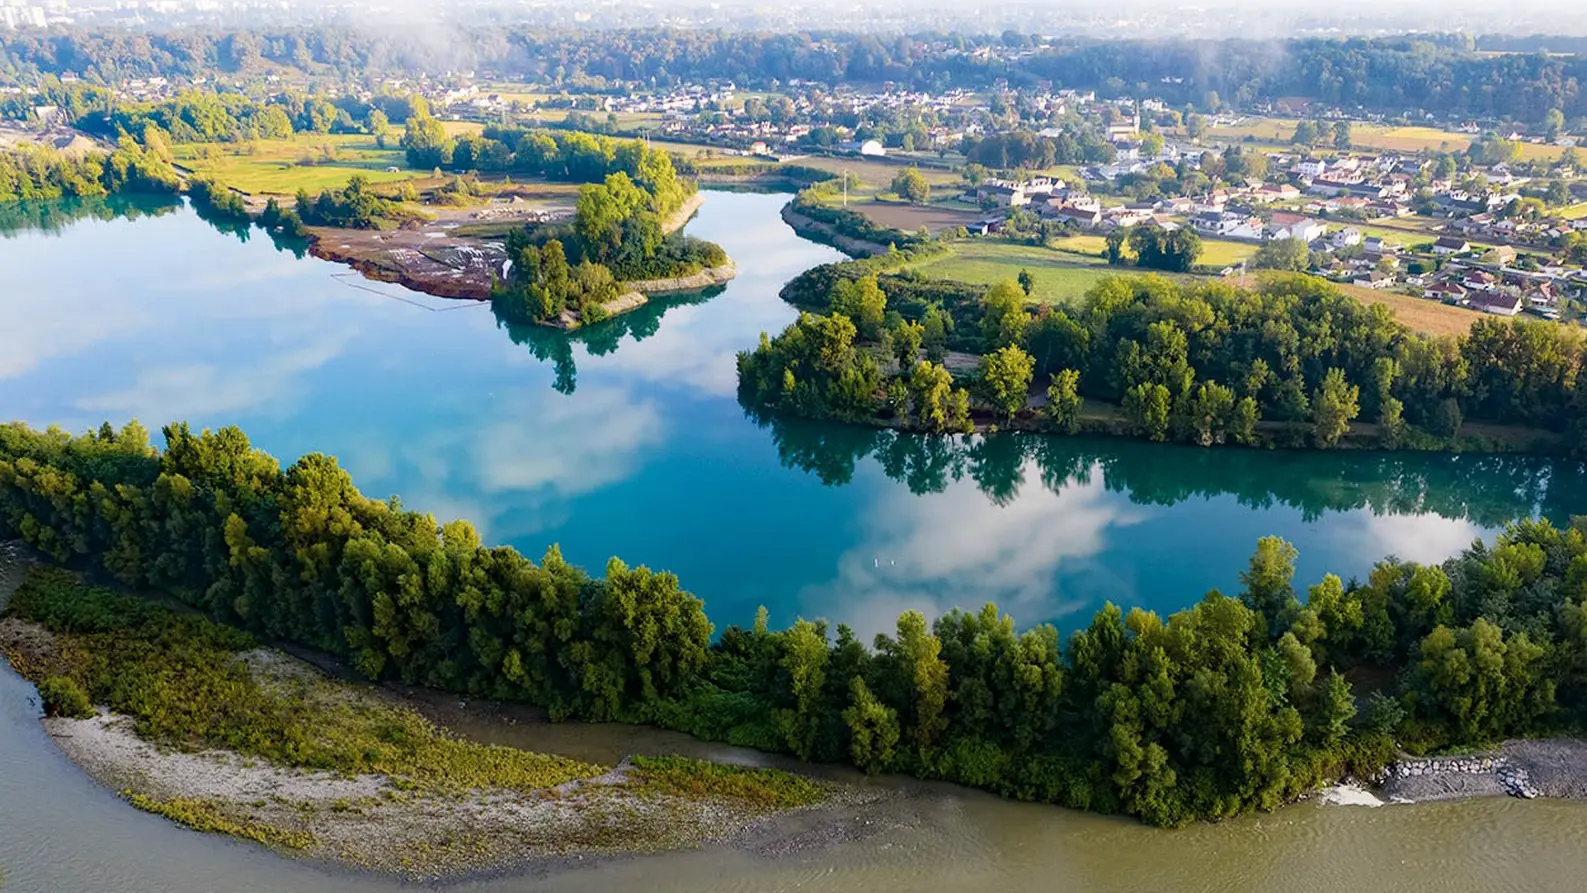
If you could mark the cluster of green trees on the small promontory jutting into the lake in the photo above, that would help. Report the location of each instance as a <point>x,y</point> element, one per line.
<point>618,232</point>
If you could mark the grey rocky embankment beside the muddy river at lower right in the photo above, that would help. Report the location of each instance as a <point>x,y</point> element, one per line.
<point>1526,770</point>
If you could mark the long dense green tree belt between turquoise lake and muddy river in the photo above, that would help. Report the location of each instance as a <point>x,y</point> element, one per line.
<point>1232,705</point>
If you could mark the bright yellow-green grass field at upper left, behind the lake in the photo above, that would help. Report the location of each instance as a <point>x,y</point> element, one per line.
<point>279,166</point>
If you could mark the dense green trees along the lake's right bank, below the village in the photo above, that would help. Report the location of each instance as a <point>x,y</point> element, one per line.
<point>1191,362</point>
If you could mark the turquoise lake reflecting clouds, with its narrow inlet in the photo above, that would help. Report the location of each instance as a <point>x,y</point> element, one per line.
<point>629,440</point>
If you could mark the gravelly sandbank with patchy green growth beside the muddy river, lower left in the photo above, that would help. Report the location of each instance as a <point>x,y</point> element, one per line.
<point>421,826</point>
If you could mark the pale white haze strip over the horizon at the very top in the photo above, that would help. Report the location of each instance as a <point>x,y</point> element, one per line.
<point>1080,18</point>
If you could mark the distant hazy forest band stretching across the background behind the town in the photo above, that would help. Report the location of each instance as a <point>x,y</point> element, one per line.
<point>1424,74</point>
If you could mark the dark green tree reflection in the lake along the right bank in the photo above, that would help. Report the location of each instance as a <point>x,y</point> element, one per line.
<point>1489,491</point>
